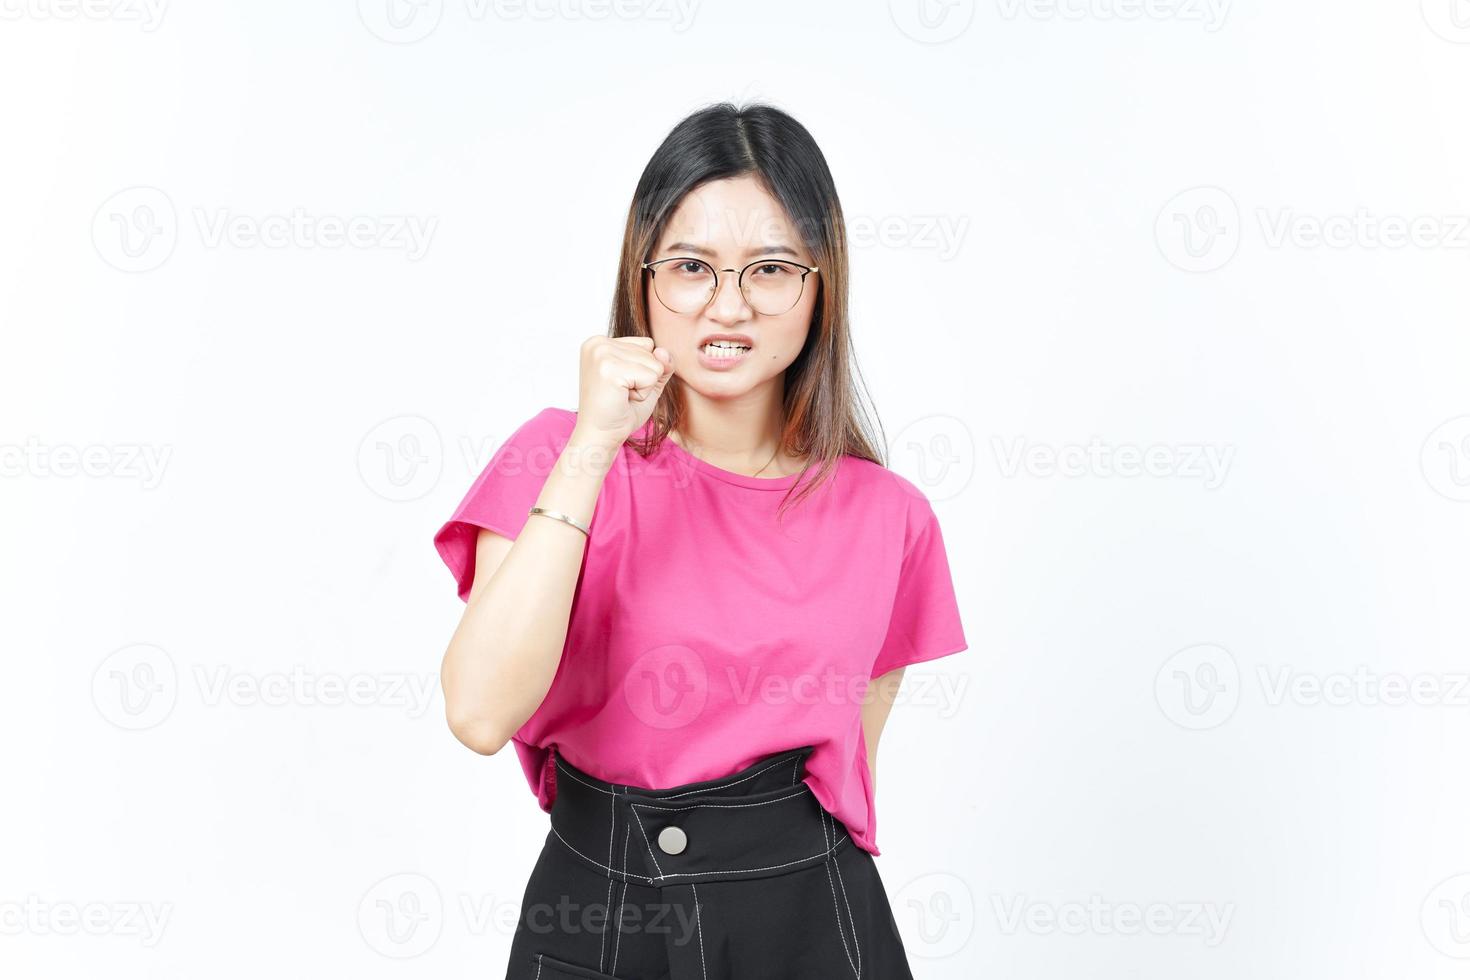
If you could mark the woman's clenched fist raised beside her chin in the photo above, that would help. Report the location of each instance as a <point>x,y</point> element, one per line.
<point>621,383</point>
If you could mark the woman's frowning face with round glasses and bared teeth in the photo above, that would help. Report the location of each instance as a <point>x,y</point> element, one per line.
<point>728,226</point>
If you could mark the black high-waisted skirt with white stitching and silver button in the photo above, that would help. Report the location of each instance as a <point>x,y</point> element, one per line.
<point>743,878</point>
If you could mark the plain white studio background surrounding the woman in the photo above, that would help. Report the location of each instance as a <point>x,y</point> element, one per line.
<point>1080,231</point>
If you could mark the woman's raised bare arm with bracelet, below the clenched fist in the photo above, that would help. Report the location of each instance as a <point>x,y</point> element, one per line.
<point>506,650</point>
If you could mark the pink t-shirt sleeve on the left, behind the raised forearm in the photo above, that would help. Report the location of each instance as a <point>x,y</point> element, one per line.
<point>505,491</point>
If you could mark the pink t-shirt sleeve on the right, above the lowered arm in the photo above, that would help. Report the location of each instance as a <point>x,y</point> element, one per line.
<point>925,621</point>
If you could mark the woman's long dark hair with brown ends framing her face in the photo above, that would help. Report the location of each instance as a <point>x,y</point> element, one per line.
<point>824,417</point>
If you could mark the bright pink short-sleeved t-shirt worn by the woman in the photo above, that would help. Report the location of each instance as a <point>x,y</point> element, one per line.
<point>703,635</point>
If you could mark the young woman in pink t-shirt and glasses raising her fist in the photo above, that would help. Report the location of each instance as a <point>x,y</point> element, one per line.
<point>690,602</point>
